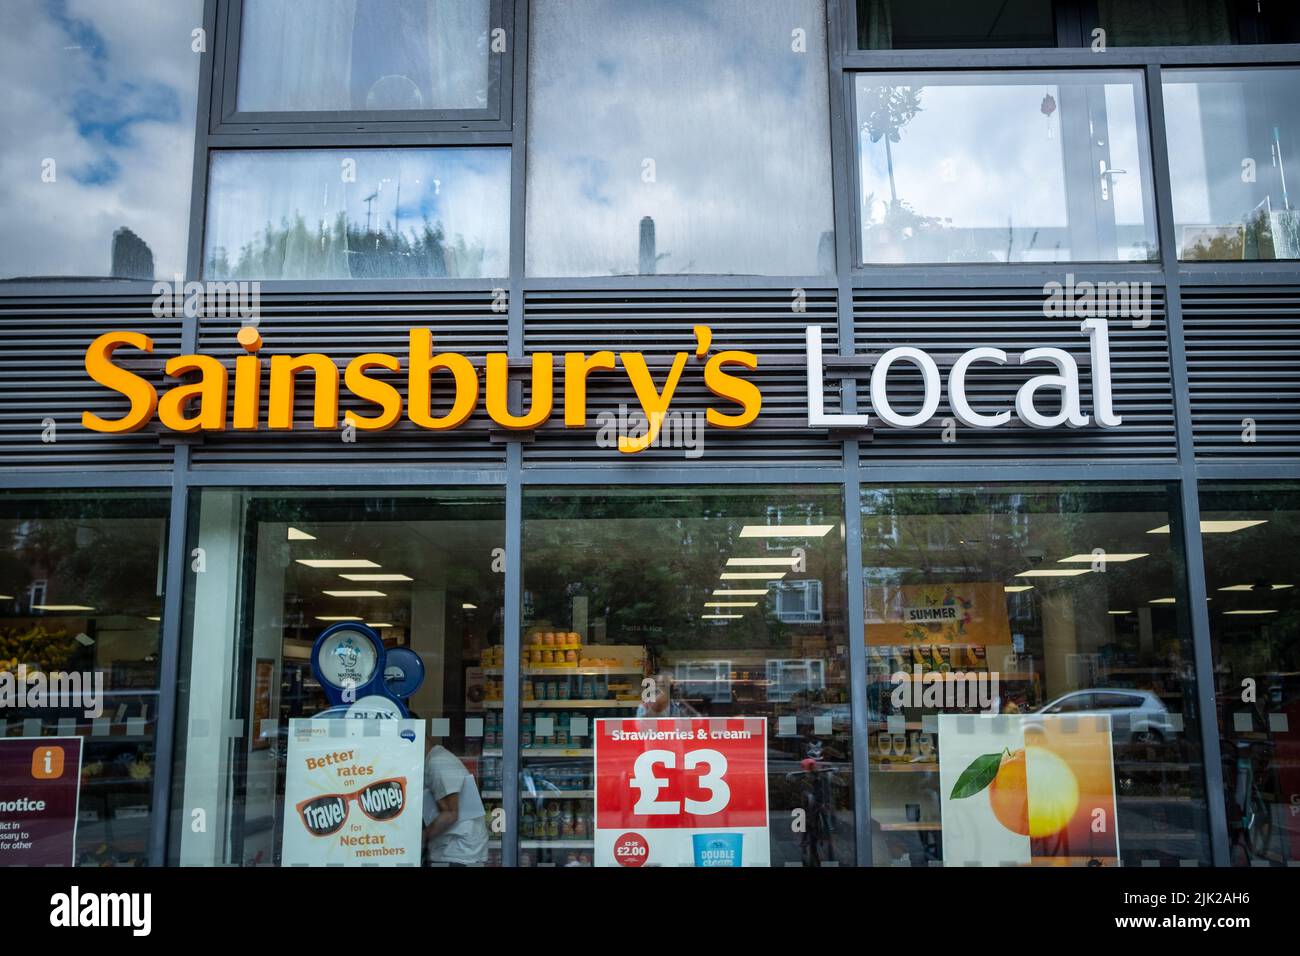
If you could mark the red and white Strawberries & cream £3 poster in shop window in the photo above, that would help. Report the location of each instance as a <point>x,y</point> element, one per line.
<point>682,793</point>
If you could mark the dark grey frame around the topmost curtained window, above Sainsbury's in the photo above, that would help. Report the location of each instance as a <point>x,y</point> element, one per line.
<point>227,119</point>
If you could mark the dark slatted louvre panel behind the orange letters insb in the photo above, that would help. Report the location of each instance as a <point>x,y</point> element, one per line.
<point>344,327</point>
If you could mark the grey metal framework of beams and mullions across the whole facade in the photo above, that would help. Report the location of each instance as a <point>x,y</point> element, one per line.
<point>844,60</point>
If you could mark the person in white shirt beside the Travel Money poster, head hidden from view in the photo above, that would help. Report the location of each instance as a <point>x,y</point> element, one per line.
<point>456,825</point>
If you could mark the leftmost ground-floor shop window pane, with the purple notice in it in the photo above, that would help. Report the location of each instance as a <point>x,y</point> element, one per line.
<point>81,604</point>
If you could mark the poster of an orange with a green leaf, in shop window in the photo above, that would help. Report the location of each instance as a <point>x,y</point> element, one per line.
<point>1030,790</point>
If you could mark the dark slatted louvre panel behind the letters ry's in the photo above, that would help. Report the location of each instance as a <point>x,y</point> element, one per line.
<point>660,325</point>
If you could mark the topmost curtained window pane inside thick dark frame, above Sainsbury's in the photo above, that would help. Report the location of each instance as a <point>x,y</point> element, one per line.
<point>358,55</point>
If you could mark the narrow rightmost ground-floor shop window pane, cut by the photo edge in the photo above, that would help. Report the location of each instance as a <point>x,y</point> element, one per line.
<point>1249,533</point>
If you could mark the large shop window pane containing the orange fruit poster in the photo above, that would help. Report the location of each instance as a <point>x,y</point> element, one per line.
<point>1032,689</point>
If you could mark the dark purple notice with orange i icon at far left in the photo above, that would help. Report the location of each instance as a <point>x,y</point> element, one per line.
<point>40,788</point>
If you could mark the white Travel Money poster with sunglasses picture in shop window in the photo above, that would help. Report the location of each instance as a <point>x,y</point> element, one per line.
<point>354,793</point>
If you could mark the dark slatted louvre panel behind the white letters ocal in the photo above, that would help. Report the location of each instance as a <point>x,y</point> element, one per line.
<point>948,322</point>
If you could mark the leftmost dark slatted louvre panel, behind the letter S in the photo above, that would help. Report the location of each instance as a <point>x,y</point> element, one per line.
<point>44,377</point>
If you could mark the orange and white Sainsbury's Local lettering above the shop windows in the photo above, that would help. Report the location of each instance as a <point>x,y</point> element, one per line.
<point>1051,397</point>
